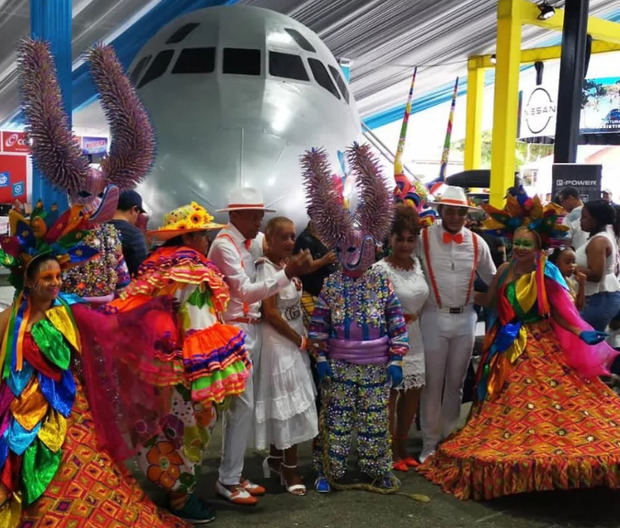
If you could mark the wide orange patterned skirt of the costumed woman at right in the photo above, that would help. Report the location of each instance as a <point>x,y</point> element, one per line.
<point>546,429</point>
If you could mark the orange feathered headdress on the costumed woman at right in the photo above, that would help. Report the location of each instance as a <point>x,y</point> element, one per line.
<point>522,211</point>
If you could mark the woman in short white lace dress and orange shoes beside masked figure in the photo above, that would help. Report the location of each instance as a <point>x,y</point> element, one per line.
<point>405,271</point>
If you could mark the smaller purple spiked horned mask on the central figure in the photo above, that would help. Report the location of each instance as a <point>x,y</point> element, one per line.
<point>352,235</point>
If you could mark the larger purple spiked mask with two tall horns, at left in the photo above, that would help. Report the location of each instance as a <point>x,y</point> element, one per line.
<point>53,147</point>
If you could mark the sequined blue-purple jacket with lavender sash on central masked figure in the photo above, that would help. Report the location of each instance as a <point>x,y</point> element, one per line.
<point>361,320</point>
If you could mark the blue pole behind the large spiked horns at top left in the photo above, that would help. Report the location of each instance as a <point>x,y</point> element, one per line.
<point>50,20</point>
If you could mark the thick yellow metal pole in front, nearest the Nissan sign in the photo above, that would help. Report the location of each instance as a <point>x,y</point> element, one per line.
<point>506,104</point>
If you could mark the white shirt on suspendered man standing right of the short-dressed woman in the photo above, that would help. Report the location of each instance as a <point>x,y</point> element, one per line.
<point>452,264</point>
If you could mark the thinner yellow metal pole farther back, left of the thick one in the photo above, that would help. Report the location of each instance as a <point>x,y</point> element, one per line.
<point>473,127</point>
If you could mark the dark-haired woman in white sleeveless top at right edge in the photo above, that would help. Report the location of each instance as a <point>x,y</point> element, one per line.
<point>597,260</point>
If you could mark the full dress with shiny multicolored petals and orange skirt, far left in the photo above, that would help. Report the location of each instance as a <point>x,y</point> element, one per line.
<point>53,471</point>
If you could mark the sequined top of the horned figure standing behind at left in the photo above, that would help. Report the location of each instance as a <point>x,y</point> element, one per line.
<point>98,279</point>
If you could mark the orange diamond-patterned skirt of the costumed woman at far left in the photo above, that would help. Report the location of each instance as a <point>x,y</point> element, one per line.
<point>89,489</point>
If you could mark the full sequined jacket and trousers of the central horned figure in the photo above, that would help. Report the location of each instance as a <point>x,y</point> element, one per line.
<point>362,324</point>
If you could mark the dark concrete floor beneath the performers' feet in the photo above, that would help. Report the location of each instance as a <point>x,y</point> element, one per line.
<point>594,508</point>
